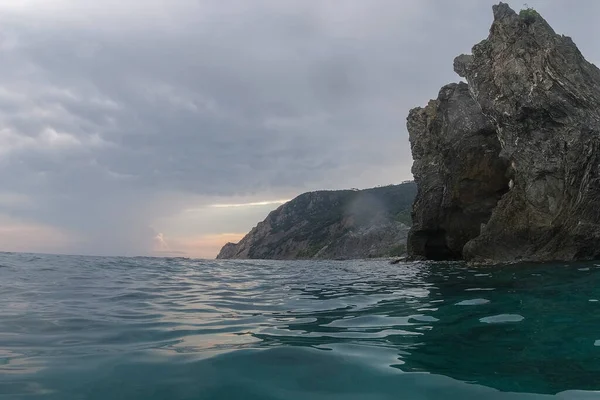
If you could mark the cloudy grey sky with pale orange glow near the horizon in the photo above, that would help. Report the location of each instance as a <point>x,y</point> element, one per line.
<point>169,127</point>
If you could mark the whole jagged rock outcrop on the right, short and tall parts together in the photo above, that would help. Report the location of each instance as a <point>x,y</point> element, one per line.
<point>542,99</point>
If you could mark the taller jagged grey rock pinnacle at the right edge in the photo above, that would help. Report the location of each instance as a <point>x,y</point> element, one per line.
<point>543,99</point>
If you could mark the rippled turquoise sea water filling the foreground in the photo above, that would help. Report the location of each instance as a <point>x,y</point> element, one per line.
<point>145,328</point>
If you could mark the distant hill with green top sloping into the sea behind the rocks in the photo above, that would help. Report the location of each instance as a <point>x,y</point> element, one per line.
<point>338,224</point>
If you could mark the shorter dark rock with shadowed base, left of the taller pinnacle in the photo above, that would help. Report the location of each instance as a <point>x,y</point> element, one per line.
<point>459,173</point>
